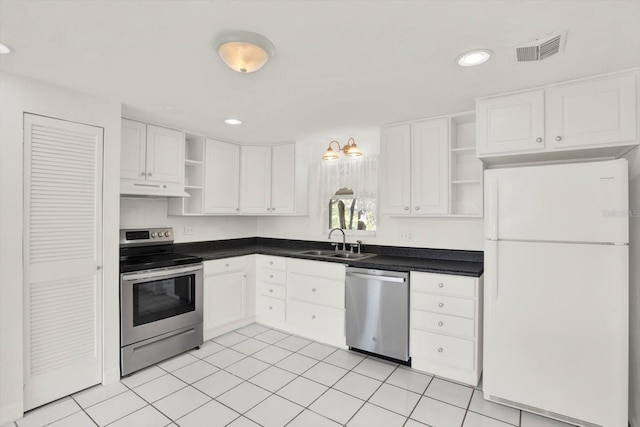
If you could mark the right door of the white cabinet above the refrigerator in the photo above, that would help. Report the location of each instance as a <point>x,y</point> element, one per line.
<point>592,113</point>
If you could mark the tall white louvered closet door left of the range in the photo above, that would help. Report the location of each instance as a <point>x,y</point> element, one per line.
<point>62,258</point>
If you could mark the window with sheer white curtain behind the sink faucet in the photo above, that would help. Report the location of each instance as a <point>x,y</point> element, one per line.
<point>349,192</point>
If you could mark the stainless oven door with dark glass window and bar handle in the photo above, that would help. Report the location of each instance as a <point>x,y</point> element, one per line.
<point>157,301</point>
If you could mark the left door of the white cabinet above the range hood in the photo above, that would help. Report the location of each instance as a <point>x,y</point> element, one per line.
<point>132,150</point>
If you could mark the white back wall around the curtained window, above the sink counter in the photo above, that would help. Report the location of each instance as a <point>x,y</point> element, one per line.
<point>441,233</point>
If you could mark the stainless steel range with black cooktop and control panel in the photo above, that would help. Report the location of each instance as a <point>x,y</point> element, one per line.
<point>160,299</point>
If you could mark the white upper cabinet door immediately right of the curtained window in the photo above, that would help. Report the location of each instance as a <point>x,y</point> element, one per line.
<point>395,170</point>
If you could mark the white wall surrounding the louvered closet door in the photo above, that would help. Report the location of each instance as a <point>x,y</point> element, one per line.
<point>17,96</point>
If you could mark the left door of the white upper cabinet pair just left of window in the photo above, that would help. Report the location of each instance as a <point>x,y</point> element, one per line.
<point>255,180</point>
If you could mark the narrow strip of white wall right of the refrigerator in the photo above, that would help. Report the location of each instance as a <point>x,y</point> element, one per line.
<point>634,288</point>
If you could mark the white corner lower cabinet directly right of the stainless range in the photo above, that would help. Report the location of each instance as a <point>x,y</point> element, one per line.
<point>229,299</point>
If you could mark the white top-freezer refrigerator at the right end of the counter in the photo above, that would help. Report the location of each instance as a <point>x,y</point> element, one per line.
<point>556,290</point>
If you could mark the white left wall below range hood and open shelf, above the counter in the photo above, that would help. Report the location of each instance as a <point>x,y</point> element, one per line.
<point>152,212</point>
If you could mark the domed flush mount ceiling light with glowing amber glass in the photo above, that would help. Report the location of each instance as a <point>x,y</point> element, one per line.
<point>243,51</point>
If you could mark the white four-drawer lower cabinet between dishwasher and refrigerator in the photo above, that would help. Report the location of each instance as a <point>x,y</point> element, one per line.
<point>446,326</point>
